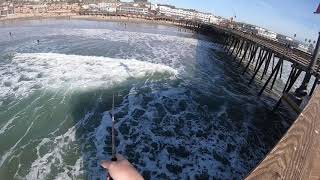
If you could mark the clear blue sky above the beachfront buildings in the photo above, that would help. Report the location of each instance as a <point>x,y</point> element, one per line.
<point>288,17</point>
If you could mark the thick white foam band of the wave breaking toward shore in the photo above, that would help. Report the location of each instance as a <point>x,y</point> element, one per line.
<point>29,72</point>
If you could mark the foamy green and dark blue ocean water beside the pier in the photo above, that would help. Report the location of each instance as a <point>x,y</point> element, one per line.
<point>182,109</point>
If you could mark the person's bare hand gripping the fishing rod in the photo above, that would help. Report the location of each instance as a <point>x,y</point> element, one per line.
<point>121,169</point>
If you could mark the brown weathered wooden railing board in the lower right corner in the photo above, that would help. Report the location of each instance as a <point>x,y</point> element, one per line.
<point>297,155</point>
